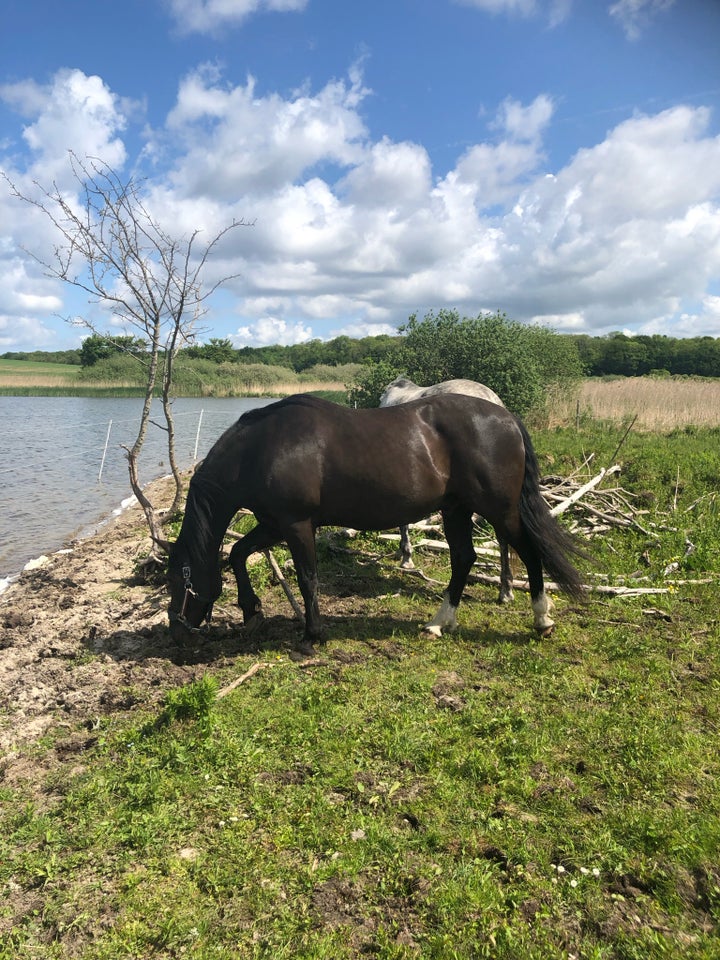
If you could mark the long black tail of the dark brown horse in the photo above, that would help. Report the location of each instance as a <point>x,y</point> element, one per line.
<point>554,545</point>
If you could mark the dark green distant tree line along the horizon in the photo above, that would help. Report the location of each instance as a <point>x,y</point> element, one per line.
<point>613,355</point>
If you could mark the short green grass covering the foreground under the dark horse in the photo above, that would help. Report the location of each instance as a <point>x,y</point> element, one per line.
<point>482,795</point>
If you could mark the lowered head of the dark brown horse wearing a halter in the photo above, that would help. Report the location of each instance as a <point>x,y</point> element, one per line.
<point>193,591</point>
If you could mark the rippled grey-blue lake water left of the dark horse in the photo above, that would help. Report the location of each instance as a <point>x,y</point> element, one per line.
<point>59,480</point>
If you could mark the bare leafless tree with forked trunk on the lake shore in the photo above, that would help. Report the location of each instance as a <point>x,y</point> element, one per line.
<point>112,247</point>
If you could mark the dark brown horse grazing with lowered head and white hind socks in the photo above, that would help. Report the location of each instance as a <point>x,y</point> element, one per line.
<point>303,463</point>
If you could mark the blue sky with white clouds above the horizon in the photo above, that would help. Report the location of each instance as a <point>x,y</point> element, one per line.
<point>557,160</point>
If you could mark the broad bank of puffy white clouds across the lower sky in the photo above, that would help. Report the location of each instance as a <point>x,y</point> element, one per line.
<point>356,233</point>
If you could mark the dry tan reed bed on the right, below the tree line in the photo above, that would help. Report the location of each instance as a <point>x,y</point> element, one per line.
<point>658,404</point>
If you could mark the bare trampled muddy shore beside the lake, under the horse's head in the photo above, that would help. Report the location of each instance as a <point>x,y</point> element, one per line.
<point>84,635</point>
